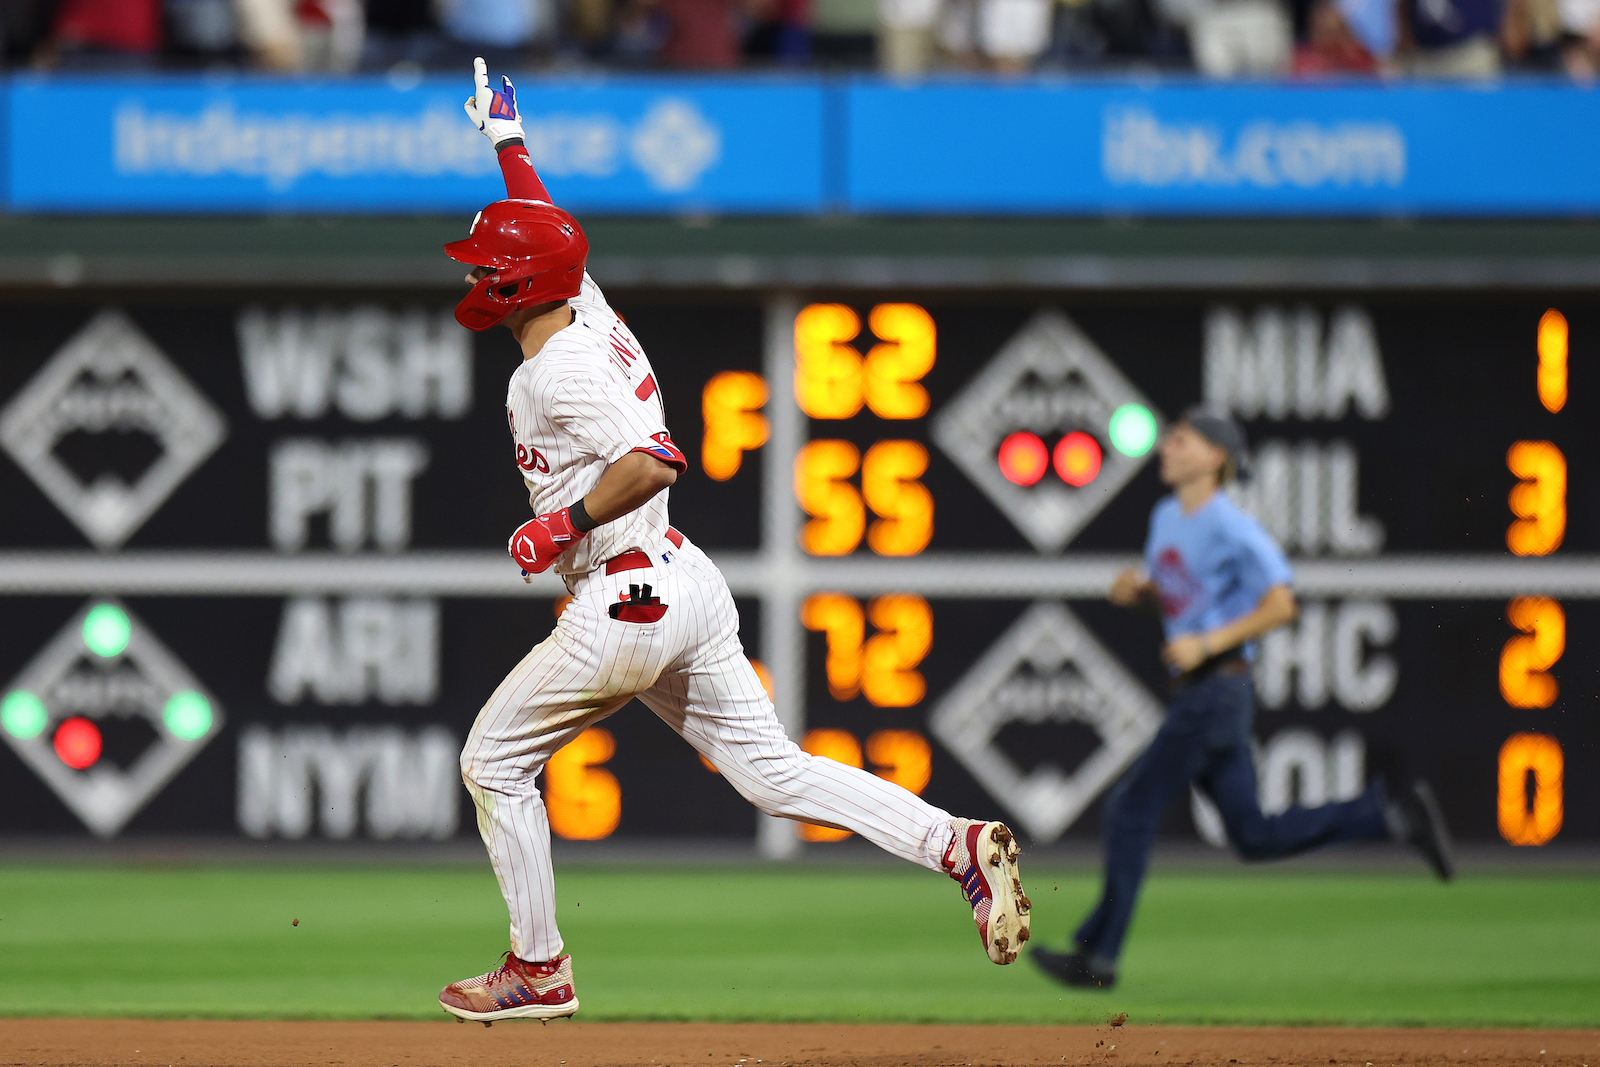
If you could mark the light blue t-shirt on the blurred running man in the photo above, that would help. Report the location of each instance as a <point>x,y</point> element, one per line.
<point>1212,567</point>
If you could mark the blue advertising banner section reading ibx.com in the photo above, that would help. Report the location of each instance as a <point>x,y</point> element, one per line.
<point>1223,150</point>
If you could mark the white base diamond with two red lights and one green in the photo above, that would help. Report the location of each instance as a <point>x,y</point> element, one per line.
<point>1049,378</point>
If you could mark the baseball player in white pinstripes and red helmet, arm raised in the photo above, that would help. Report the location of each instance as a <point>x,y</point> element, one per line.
<point>650,617</point>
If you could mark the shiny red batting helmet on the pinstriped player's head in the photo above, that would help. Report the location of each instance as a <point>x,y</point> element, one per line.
<point>537,254</point>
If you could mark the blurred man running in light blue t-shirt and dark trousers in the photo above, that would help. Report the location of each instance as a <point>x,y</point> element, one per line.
<point>1218,581</point>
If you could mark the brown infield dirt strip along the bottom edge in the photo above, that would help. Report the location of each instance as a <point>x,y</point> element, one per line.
<point>207,1044</point>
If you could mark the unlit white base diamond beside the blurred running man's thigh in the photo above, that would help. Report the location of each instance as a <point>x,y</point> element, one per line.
<point>1047,669</point>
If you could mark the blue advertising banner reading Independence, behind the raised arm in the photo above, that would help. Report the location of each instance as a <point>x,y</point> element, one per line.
<point>366,146</point>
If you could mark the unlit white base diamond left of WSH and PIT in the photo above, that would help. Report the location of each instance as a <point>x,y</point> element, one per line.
<point>110,378</point>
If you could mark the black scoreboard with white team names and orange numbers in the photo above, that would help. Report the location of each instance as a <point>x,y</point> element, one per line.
<point>254,583</point>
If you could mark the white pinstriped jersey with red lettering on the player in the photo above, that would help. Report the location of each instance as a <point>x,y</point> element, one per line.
<point>588,399</point>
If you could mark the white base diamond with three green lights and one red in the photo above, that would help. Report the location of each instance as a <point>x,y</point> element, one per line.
<point>108,674</point>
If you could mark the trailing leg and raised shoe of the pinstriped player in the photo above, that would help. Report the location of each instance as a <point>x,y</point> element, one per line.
<point>716,703</point>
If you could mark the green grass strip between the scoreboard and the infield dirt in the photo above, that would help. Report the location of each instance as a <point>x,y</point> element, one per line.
<point>770,943</point>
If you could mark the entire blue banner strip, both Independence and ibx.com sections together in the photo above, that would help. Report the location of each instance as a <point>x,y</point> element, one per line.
<point>807,146</point>
